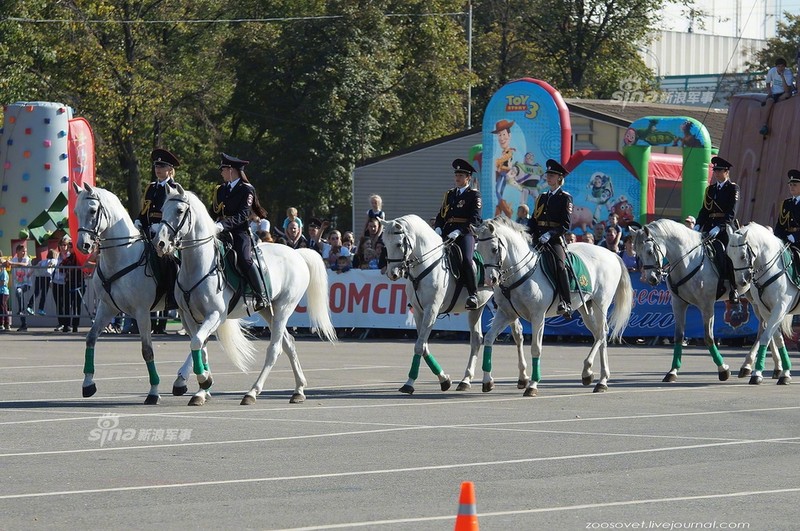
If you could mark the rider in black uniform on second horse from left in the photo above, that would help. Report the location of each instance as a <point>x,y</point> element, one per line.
<point>233,203</point>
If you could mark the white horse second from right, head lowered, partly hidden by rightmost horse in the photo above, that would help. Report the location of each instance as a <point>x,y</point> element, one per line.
<point>691,278</point>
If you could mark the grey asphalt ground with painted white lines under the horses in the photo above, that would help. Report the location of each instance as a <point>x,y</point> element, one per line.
<point>696,454</point>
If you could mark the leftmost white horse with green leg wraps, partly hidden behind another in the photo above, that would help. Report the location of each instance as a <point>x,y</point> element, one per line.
<point>123,278</point>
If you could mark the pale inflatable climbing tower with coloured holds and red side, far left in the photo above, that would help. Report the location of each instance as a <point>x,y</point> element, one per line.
<point>43,148</point>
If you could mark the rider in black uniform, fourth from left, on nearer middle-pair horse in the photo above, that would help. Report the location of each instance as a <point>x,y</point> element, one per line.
<point>551,220</point>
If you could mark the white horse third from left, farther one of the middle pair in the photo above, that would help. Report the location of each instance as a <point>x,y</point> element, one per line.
<point>416,252</point>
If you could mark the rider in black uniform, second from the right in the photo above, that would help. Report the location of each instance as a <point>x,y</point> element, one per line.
<point>719,211</point>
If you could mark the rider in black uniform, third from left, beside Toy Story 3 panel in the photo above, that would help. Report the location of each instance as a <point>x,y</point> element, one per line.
<point>461,210</point>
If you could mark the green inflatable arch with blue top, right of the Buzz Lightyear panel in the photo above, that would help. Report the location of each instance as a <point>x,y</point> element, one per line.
<point>673,131</point>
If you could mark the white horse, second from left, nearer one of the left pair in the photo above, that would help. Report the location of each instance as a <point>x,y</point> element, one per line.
<point>210,303</point>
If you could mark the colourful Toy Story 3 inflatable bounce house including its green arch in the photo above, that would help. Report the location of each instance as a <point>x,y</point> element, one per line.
<point>527,122</point>
